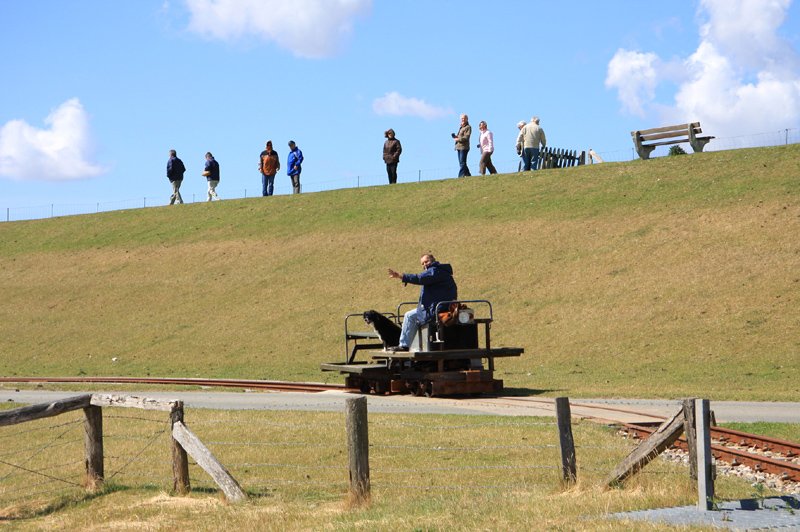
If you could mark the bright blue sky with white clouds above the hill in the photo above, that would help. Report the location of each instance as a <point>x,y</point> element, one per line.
<point>95,93</point>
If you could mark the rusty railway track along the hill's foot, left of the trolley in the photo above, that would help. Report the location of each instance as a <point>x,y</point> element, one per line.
<point>279,386</point>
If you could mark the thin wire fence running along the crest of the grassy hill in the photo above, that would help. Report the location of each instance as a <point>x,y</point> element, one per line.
<point>772,138</point>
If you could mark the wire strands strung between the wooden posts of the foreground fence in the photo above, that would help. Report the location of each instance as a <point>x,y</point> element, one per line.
<point>271,452</point>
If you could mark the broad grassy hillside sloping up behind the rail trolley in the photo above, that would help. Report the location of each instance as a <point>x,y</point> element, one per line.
<point>674,277</point>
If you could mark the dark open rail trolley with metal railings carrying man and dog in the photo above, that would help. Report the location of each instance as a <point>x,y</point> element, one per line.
<point>453,359</point>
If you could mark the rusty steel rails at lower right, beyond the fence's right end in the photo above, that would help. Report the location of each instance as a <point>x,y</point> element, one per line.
<point>786,469</point>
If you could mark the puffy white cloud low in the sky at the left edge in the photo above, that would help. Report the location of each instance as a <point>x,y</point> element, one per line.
<point>56,154</point>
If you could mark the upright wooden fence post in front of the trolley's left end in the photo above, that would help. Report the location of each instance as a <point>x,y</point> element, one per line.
<point>358,448</point>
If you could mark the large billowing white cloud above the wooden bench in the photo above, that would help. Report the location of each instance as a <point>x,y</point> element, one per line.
<point>743,77</point>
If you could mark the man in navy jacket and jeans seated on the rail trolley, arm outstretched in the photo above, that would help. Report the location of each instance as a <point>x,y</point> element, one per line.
<point>437,285</point>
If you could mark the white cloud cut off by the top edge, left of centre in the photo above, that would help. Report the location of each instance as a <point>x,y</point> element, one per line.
<point>308,28</point>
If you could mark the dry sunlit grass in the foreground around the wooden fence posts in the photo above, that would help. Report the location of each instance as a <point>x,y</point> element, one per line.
<point>427,472</point>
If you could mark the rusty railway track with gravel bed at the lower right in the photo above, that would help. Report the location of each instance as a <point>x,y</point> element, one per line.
<point>763,454</point>
